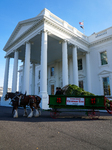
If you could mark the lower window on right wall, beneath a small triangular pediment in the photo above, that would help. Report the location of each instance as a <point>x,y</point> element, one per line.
<point>106,86</point>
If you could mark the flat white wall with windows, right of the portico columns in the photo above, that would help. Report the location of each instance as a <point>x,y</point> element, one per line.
<point>97,70</point>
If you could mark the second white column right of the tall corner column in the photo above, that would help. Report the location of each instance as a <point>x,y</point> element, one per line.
<point>75,67</point>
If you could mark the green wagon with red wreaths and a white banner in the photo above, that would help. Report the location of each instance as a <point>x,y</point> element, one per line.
<point>90,104</point>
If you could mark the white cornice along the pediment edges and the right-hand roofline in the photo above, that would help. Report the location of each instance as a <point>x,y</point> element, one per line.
<point>56,25</point>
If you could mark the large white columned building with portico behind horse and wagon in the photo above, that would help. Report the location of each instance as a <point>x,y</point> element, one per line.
<point>54,53</point>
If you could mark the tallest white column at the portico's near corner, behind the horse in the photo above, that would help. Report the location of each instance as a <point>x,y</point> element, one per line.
<point>43,76</point>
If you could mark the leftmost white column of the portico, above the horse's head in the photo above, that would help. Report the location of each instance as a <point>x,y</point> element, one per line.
<point>6,76</point>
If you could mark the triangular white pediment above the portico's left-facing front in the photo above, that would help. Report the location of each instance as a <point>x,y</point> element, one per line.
<point>21,28</point>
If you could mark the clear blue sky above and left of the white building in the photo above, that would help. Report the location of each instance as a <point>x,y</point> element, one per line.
<point>96,14</point>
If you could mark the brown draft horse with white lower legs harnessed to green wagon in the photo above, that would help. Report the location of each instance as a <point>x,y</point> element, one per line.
<point>21,100</point>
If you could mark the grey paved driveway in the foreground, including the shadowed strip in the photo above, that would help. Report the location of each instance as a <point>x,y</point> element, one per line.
<point>71,131</point>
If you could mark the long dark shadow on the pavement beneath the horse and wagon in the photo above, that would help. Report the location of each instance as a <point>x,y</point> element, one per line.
<point>6,115</point>
